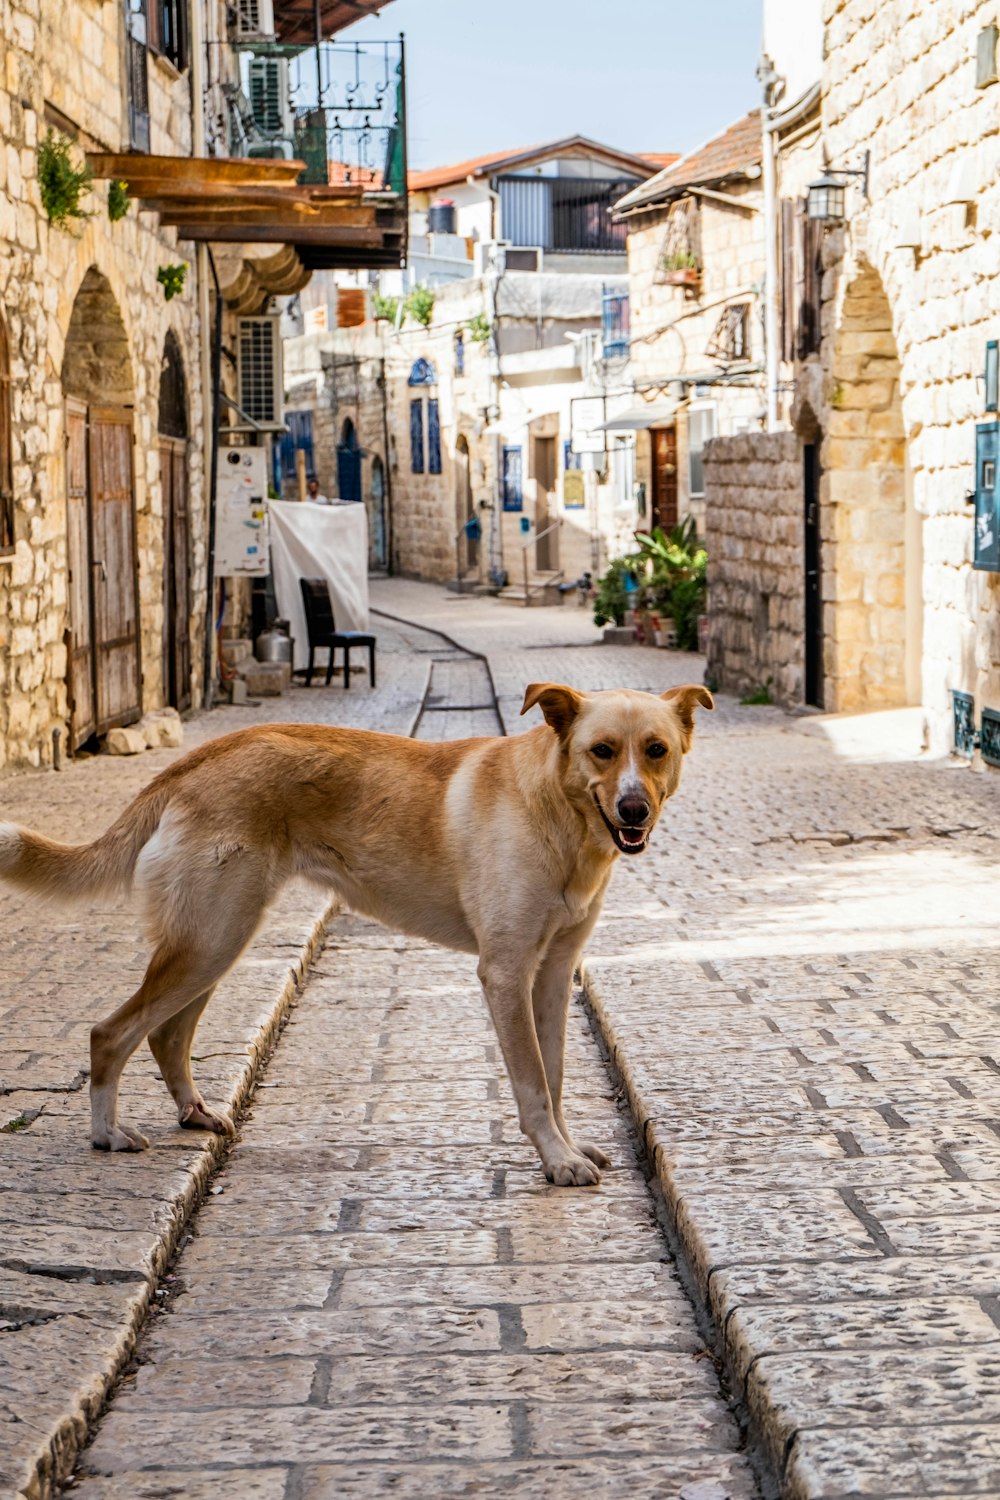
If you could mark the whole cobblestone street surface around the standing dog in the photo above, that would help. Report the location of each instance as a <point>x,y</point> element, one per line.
<point>382,1295</point>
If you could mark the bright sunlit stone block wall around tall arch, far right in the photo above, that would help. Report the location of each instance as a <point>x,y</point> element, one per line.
<point>900,82</point>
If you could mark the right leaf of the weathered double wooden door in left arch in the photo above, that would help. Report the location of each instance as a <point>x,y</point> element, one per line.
<point>115,568</point>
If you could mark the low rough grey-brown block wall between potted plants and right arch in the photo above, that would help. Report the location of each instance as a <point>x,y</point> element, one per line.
<point>756,602</point>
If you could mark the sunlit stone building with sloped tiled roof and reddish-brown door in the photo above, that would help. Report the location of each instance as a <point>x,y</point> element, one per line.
<point>696,253</point>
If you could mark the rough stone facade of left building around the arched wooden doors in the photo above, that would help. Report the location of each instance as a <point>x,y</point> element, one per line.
<point>71,55</point>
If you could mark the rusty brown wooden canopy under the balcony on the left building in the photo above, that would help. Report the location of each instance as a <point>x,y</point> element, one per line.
<point>232,200</point>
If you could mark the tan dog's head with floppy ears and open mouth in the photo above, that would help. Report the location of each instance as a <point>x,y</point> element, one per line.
<point>621,754</point>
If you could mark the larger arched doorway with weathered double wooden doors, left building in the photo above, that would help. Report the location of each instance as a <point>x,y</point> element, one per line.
<point>104,584</point>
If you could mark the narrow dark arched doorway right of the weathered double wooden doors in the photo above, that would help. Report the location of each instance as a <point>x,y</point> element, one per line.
<point>173,445</point>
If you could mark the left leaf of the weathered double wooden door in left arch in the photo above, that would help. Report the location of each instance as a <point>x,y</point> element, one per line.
<point>83,713</point>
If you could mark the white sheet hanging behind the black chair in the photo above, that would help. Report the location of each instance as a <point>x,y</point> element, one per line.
<point>326,542</point>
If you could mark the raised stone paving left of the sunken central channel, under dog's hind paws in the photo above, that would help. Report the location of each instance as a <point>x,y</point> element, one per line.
<point>83,1235</point>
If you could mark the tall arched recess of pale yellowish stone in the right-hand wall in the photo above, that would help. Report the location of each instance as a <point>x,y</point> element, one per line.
<point>872,595</point>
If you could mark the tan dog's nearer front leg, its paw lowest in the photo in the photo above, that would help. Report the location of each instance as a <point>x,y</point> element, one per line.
<point>509,998</point>
